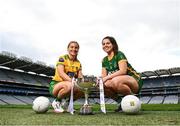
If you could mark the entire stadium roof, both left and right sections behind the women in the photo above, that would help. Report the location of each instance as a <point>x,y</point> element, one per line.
<point>10,60</point>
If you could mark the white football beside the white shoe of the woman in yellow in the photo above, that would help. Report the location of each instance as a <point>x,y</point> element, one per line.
<point>41,104</point>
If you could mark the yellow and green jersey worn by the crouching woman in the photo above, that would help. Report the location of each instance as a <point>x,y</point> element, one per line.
<point>71,68</point>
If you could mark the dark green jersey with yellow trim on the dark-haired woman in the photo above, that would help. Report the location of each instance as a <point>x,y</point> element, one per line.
<point>112,65</point>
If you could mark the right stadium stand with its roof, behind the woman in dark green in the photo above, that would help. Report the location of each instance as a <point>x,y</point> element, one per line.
<point>161,86</point>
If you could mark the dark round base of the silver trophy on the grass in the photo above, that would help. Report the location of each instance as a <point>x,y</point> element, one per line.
<point>86,110</point>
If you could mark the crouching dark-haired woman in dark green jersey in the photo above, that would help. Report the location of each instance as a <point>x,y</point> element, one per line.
<point>119,77</point>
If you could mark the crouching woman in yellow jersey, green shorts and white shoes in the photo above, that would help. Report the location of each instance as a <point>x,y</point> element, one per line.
<point>67,67</point>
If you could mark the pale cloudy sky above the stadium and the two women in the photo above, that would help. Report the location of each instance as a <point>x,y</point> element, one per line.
<point>147,31</point>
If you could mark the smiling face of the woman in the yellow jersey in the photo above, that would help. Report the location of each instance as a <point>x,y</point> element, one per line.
<point>73,48</point>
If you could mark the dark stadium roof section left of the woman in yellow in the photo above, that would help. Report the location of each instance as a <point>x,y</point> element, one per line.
<point>10,60</point>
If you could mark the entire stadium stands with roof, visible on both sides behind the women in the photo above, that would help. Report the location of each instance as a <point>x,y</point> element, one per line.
<point>22,80</point>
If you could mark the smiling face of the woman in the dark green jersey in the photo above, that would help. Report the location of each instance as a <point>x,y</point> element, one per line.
<point>107,46</point>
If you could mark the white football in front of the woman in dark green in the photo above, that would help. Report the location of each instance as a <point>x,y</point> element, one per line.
<point>131,104</point>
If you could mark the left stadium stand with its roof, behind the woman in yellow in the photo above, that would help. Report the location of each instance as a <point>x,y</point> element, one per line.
<point>22,80</point>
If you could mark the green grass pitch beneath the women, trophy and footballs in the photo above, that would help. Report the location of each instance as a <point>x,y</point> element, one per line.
<point>150,115</point>
